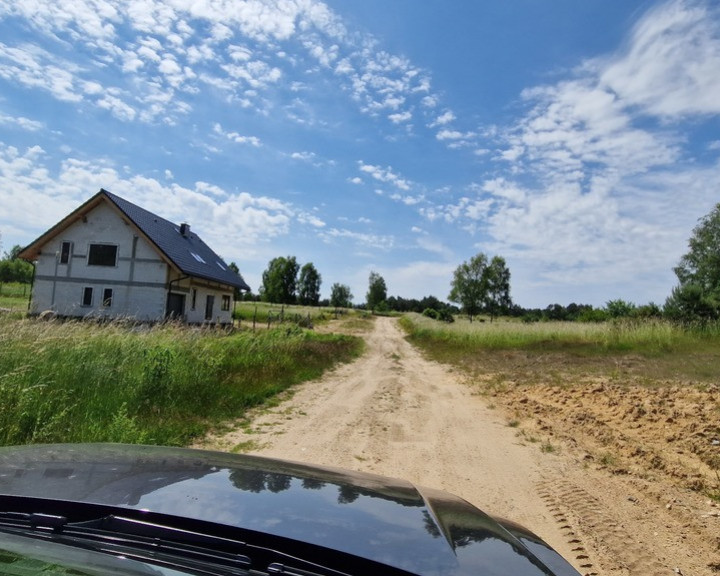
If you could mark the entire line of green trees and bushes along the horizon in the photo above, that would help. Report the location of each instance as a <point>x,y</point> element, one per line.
<point>482,286</point>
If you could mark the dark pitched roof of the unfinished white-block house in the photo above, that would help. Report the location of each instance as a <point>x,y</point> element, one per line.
<point>186,251</point>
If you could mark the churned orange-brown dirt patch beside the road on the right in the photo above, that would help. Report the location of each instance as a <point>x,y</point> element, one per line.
<point>667,431</point>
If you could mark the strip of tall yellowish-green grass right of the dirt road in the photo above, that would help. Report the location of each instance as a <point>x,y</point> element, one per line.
<point>658,348</point>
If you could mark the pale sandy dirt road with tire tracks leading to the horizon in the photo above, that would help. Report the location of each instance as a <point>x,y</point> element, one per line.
<point>395,413</point>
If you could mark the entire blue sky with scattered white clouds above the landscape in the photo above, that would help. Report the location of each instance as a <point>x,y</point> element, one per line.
<point>579,140</point>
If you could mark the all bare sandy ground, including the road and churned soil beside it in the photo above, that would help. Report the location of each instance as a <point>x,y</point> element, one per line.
<point>562,465</point>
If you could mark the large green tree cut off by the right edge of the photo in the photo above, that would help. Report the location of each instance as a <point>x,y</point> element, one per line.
<point>697,297</point>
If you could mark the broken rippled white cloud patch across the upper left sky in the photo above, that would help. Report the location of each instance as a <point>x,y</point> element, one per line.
<point>161,42</point>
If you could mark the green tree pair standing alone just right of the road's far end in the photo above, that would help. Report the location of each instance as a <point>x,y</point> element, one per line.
<point>480,284</point>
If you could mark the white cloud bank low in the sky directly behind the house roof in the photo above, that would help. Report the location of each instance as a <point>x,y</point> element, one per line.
<point>37,197</point>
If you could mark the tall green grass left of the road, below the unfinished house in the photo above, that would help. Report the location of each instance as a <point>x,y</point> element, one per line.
<point>81,382</point>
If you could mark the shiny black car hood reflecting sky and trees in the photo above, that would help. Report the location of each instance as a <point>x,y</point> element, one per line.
<point>386,520</point>
